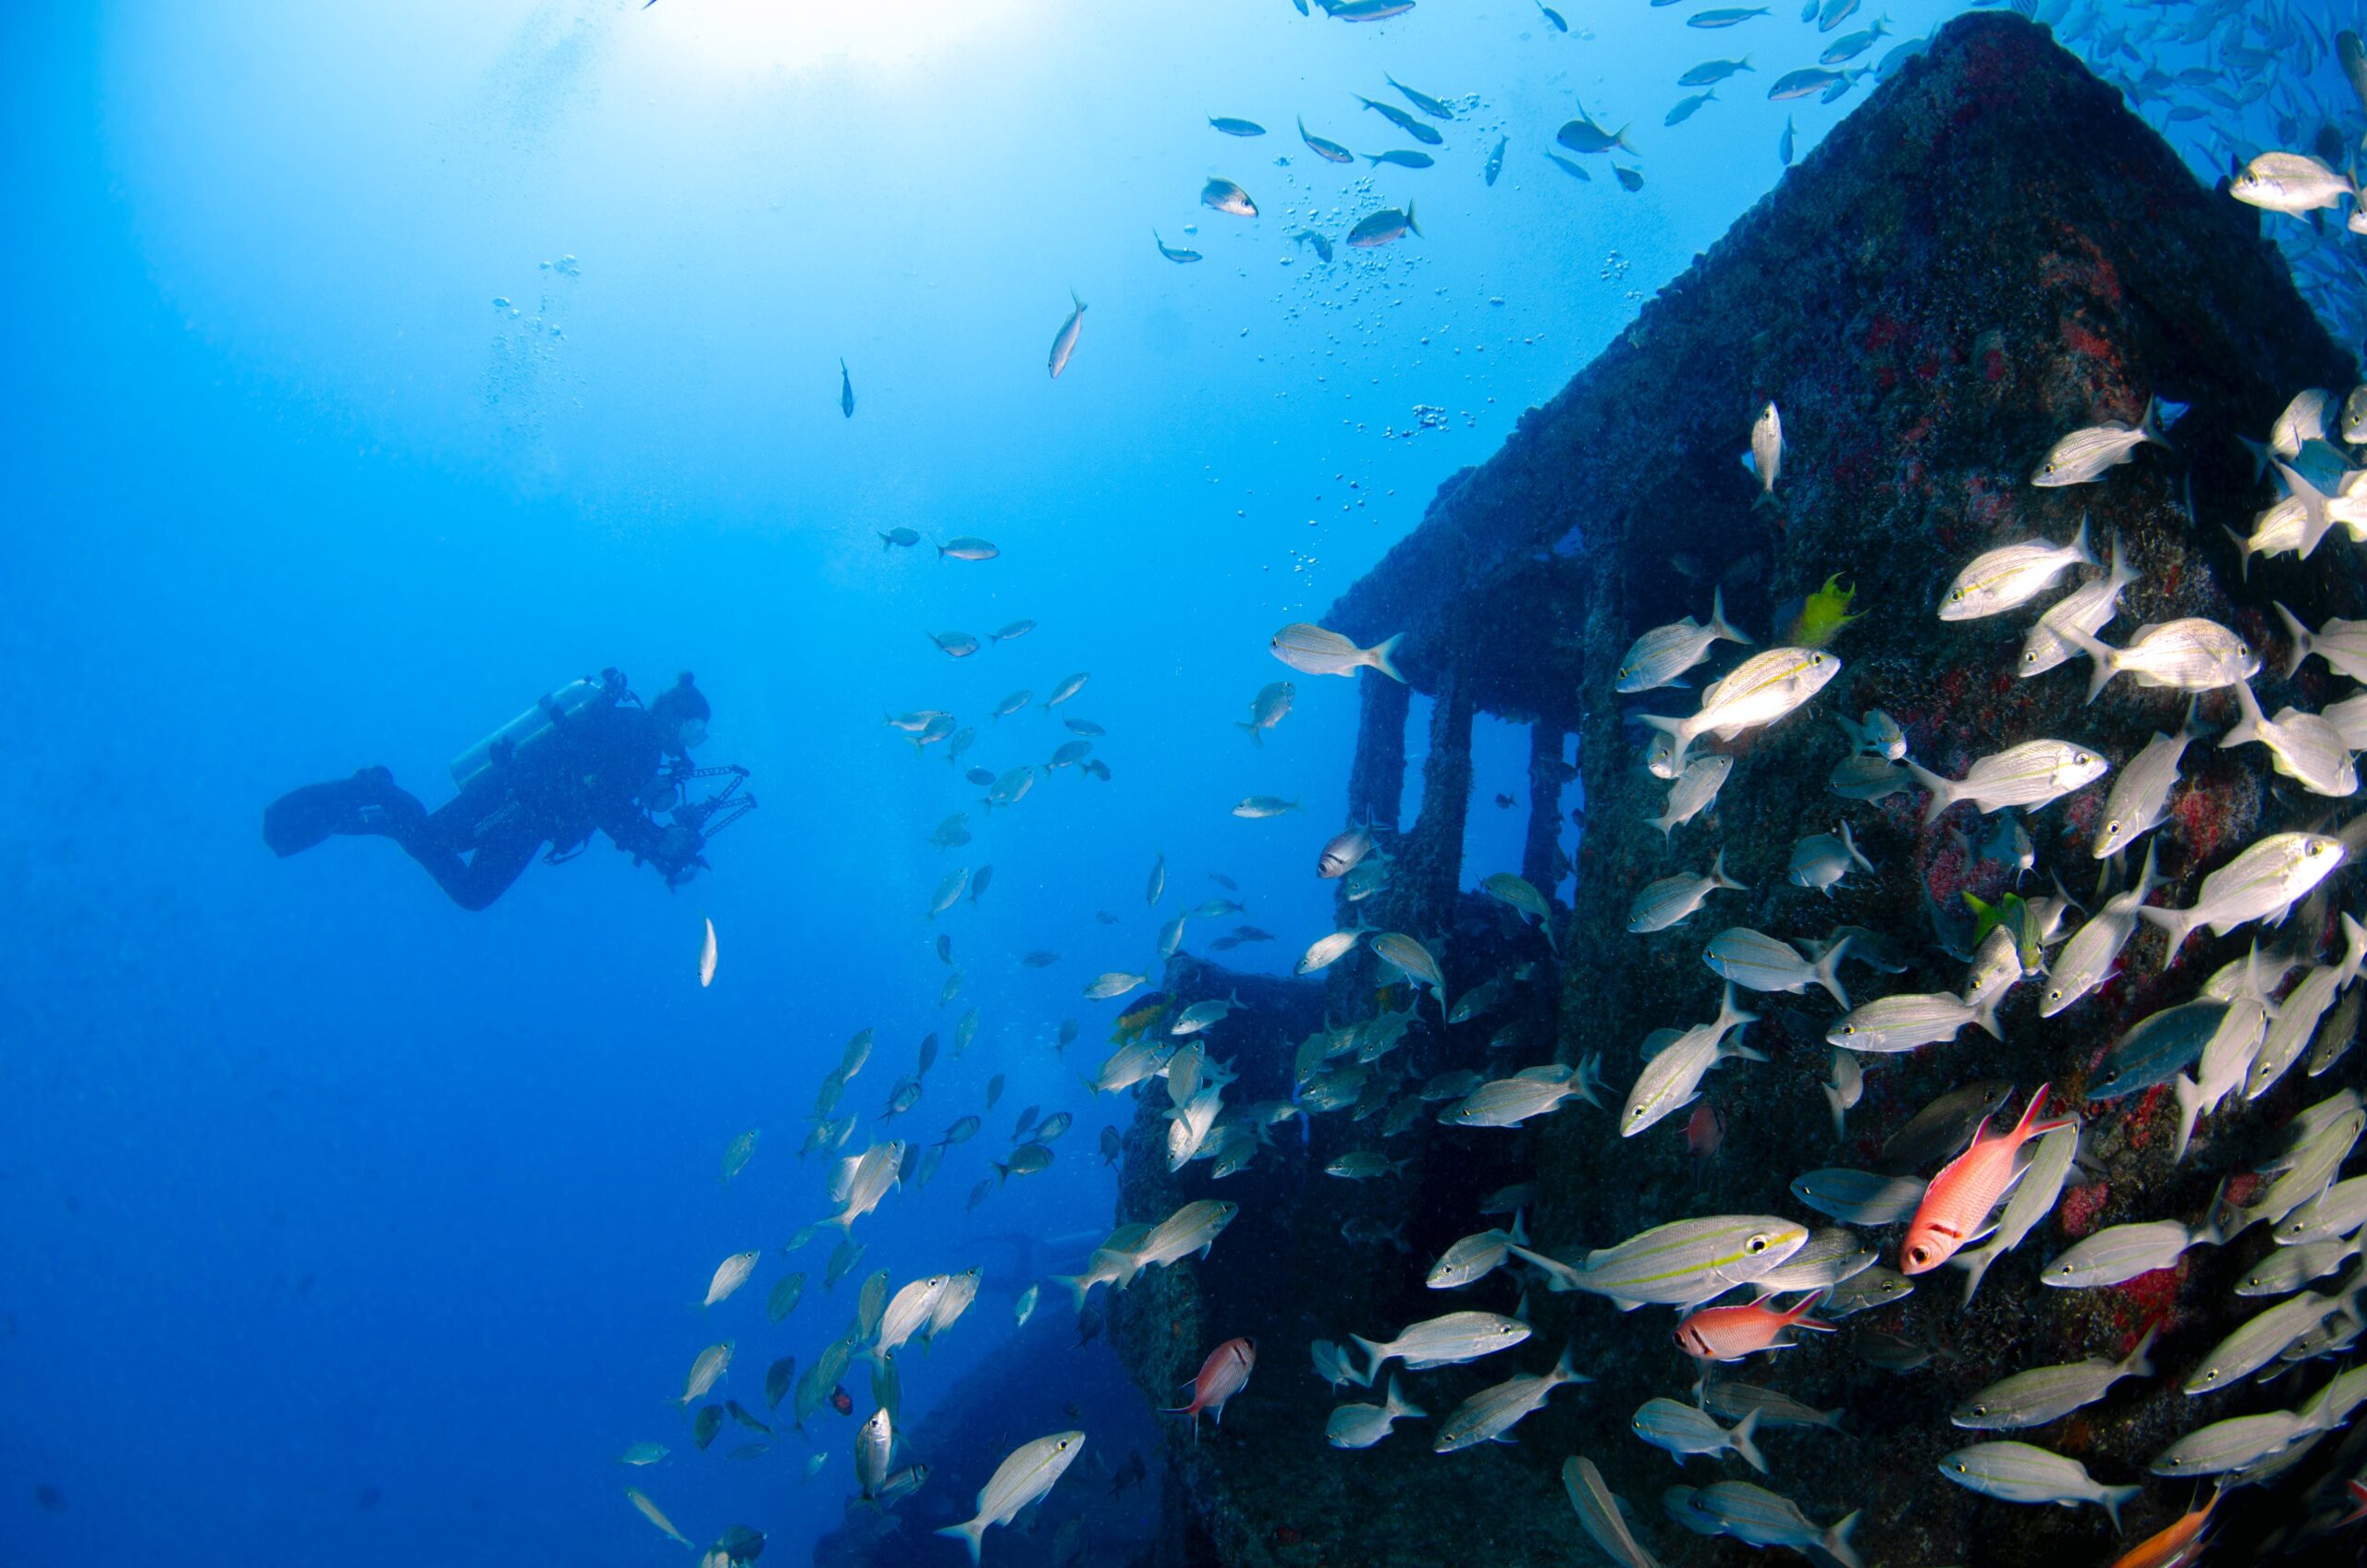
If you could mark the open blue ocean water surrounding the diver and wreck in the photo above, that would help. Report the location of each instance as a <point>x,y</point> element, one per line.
<point>378,368</point>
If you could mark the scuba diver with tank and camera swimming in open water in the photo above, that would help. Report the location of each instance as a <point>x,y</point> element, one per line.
<point>586,757</point>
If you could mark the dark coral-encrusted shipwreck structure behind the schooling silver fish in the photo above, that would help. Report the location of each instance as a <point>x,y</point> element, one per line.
<point>1987,255</point>
